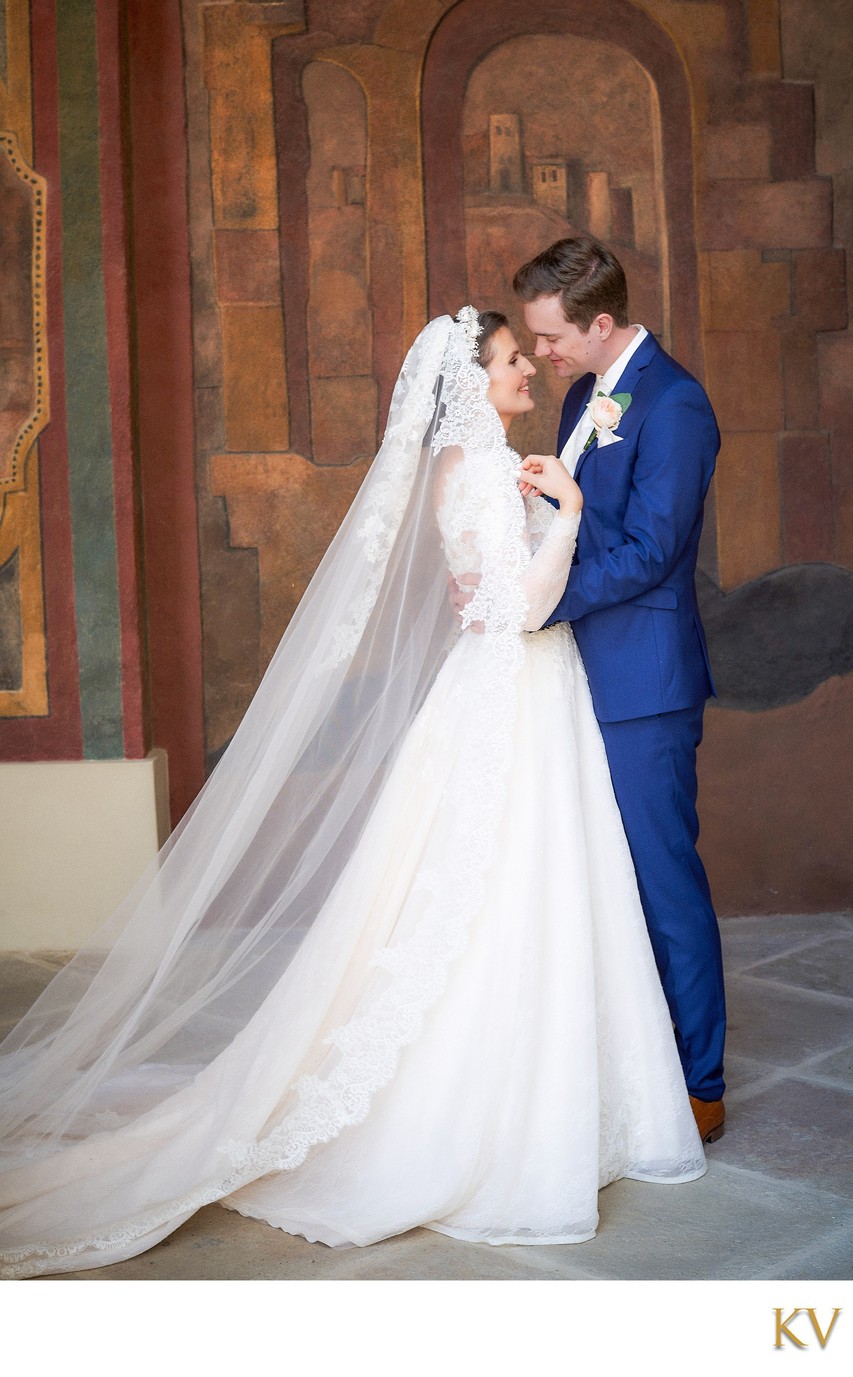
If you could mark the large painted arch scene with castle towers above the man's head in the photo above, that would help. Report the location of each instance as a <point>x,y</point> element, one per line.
<point>573,148</point>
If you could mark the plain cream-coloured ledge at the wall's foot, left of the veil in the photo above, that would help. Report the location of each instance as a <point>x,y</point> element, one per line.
<point>75,837</point>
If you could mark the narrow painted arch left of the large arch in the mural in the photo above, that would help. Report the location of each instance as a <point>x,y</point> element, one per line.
<point>325,236</point>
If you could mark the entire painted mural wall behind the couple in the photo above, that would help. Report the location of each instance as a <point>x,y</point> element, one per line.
<point>225,222</point>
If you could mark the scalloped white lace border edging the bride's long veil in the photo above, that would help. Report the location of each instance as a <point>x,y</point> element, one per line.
<point>366,1051</point>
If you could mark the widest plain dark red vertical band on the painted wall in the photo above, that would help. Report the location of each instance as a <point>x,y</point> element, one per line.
<point>165,374</point>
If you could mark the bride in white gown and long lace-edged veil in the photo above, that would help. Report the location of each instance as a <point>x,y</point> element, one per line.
<point>392,969</point>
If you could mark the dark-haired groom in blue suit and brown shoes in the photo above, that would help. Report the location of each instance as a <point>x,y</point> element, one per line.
<point>644,462</point>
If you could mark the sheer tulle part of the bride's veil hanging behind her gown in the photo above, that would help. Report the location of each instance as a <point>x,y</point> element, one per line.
<point>178,971</point>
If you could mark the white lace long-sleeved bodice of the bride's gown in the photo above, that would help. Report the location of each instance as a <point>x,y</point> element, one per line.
<point>486,536</point>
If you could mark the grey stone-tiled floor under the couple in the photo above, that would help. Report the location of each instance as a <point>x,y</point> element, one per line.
<point>777,1203</point>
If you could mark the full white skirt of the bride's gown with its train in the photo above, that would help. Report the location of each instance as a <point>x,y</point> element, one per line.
<point>487,1076</point>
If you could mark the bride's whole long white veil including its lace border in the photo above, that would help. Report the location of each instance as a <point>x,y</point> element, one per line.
<point>132,1044</point>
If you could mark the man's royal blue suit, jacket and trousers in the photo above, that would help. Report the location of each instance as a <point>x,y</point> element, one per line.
<point>632,604</point>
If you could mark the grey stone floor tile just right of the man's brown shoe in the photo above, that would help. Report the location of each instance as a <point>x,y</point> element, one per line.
<point>794,1131</point>
